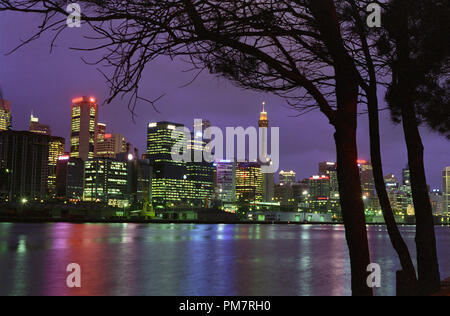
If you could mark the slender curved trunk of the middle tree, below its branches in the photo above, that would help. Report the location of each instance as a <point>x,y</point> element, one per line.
<point>407,283</point>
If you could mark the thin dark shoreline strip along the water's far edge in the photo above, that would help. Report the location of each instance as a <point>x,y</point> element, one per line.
<point>154,221</point>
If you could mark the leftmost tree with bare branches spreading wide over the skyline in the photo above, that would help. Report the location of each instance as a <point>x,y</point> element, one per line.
<point>294,49</point>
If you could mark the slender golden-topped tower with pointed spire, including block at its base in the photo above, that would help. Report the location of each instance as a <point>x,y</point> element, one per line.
<point>268,179</point>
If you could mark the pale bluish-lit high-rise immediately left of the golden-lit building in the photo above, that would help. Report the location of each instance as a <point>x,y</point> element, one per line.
<point>226,181</point>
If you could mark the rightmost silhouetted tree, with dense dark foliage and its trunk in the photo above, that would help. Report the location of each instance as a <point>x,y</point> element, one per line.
<point>415,44</point>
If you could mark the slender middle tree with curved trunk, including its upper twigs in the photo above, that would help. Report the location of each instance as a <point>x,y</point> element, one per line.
<point>364,53</point>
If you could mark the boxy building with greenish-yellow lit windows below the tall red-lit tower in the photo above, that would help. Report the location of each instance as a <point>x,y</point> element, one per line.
<point>105,181</point>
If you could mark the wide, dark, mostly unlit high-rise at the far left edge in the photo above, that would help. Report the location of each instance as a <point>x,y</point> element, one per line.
<point>24,161</point>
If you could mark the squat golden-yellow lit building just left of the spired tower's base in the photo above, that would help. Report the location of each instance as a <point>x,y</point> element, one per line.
<point>249,180</point>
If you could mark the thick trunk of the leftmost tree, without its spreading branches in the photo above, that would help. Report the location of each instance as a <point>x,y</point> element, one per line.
<point>347,88</point>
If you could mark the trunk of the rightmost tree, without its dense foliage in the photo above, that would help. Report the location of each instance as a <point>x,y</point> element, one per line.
<point>427,262</point>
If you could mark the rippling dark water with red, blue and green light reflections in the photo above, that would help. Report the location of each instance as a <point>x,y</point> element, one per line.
<point>188,259</point>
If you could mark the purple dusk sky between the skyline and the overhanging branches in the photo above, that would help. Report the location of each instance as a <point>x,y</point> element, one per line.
<point>35,80</point>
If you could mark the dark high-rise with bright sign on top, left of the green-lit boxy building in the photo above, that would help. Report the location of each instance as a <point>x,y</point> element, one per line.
<point>69,178</point>
